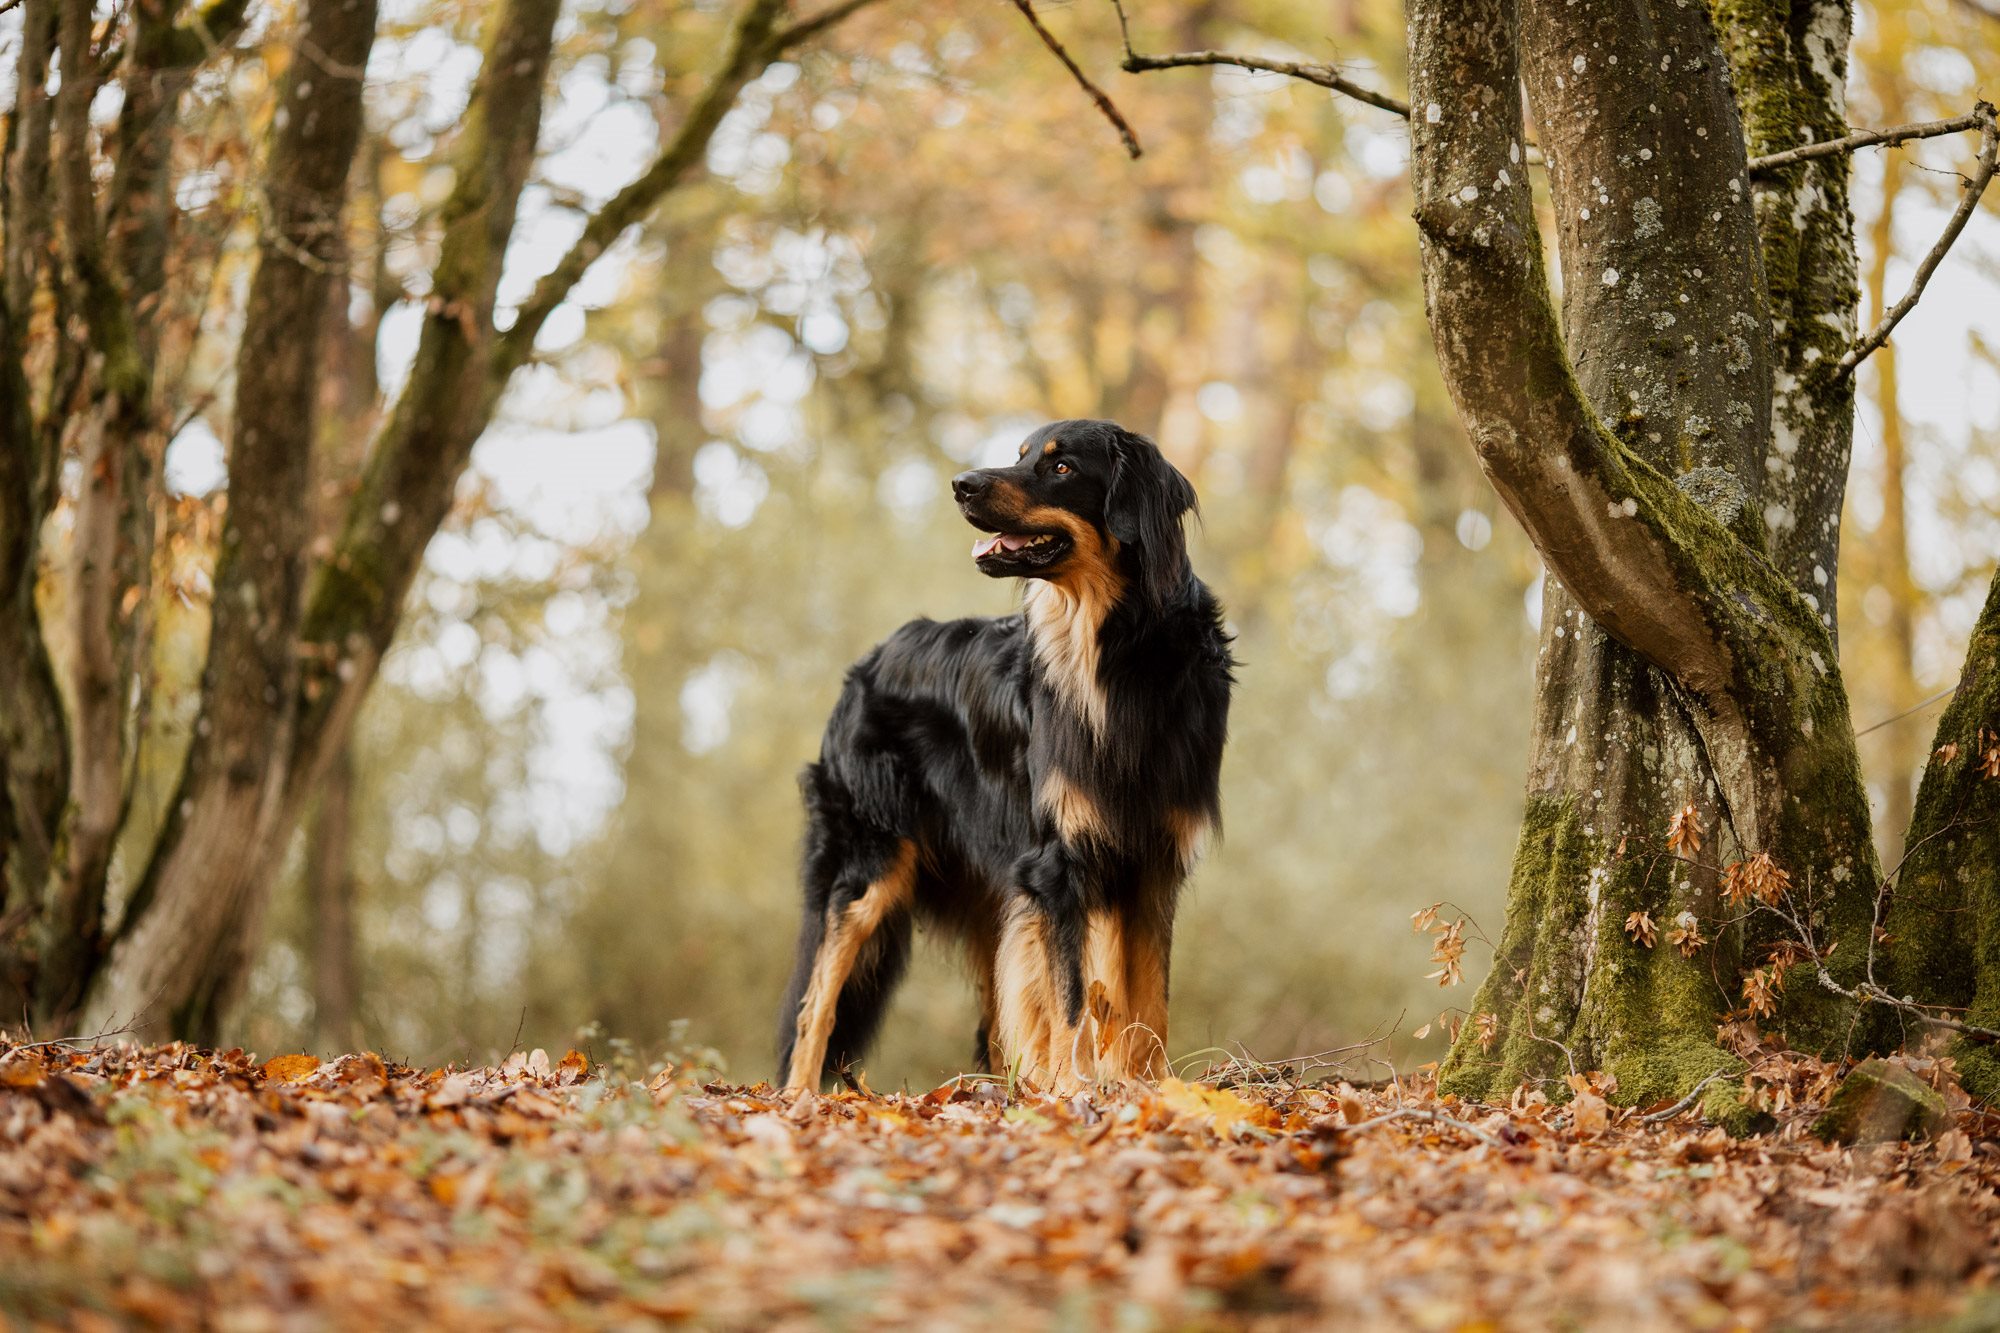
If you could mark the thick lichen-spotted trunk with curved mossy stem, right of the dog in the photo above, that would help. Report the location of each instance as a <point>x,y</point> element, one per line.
<point>1687,653</point>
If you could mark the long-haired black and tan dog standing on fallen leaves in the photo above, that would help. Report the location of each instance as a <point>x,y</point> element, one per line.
<point>1033,786</point>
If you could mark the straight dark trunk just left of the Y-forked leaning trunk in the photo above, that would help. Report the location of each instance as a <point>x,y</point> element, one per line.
<point>193,916</point>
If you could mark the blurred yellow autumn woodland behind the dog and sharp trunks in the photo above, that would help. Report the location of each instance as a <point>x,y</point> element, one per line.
<point>571,796</point>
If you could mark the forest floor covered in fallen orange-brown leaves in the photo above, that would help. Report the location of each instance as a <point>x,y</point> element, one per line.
<point>177,1188</point>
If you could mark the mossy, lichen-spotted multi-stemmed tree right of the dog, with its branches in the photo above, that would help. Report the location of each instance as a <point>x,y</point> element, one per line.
<point>1697,838</point>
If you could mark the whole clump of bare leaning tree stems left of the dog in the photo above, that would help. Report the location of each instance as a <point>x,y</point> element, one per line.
<point>93,215</point>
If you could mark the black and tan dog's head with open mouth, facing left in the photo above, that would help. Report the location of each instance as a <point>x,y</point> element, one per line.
<point>1085,495</point>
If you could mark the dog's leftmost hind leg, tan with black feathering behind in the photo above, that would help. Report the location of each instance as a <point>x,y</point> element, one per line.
<point>865,940</point>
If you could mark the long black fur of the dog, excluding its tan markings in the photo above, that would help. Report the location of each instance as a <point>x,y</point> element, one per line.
<point>945,730</point>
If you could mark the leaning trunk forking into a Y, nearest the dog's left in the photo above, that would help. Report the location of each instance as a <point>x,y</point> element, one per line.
<point>193,922</point>
